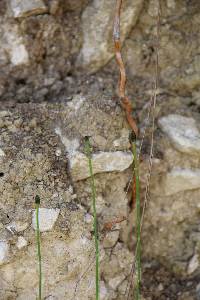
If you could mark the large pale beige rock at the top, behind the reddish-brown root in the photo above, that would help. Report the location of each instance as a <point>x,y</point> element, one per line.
<point>97,24</point>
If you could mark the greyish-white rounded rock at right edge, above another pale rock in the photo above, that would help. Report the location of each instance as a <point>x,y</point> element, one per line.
<point>182,132</point>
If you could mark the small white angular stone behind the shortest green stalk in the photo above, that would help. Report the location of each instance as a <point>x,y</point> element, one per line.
<point>47,218</point>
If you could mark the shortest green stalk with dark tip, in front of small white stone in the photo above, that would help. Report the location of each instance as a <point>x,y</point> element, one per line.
<point>38,240</point>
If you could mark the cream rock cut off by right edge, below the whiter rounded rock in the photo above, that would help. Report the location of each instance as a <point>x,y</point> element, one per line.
<point>181,180</point>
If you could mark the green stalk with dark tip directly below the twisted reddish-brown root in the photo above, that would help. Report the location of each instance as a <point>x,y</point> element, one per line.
<point>138,222</point>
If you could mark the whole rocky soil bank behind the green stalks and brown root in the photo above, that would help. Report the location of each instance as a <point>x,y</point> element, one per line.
<point>58,83</point>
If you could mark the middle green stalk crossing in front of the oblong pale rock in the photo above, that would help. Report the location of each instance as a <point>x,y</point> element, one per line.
<point>93,190</point>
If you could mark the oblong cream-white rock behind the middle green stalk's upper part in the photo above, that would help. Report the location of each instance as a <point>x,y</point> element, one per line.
<point>102,162</point>
